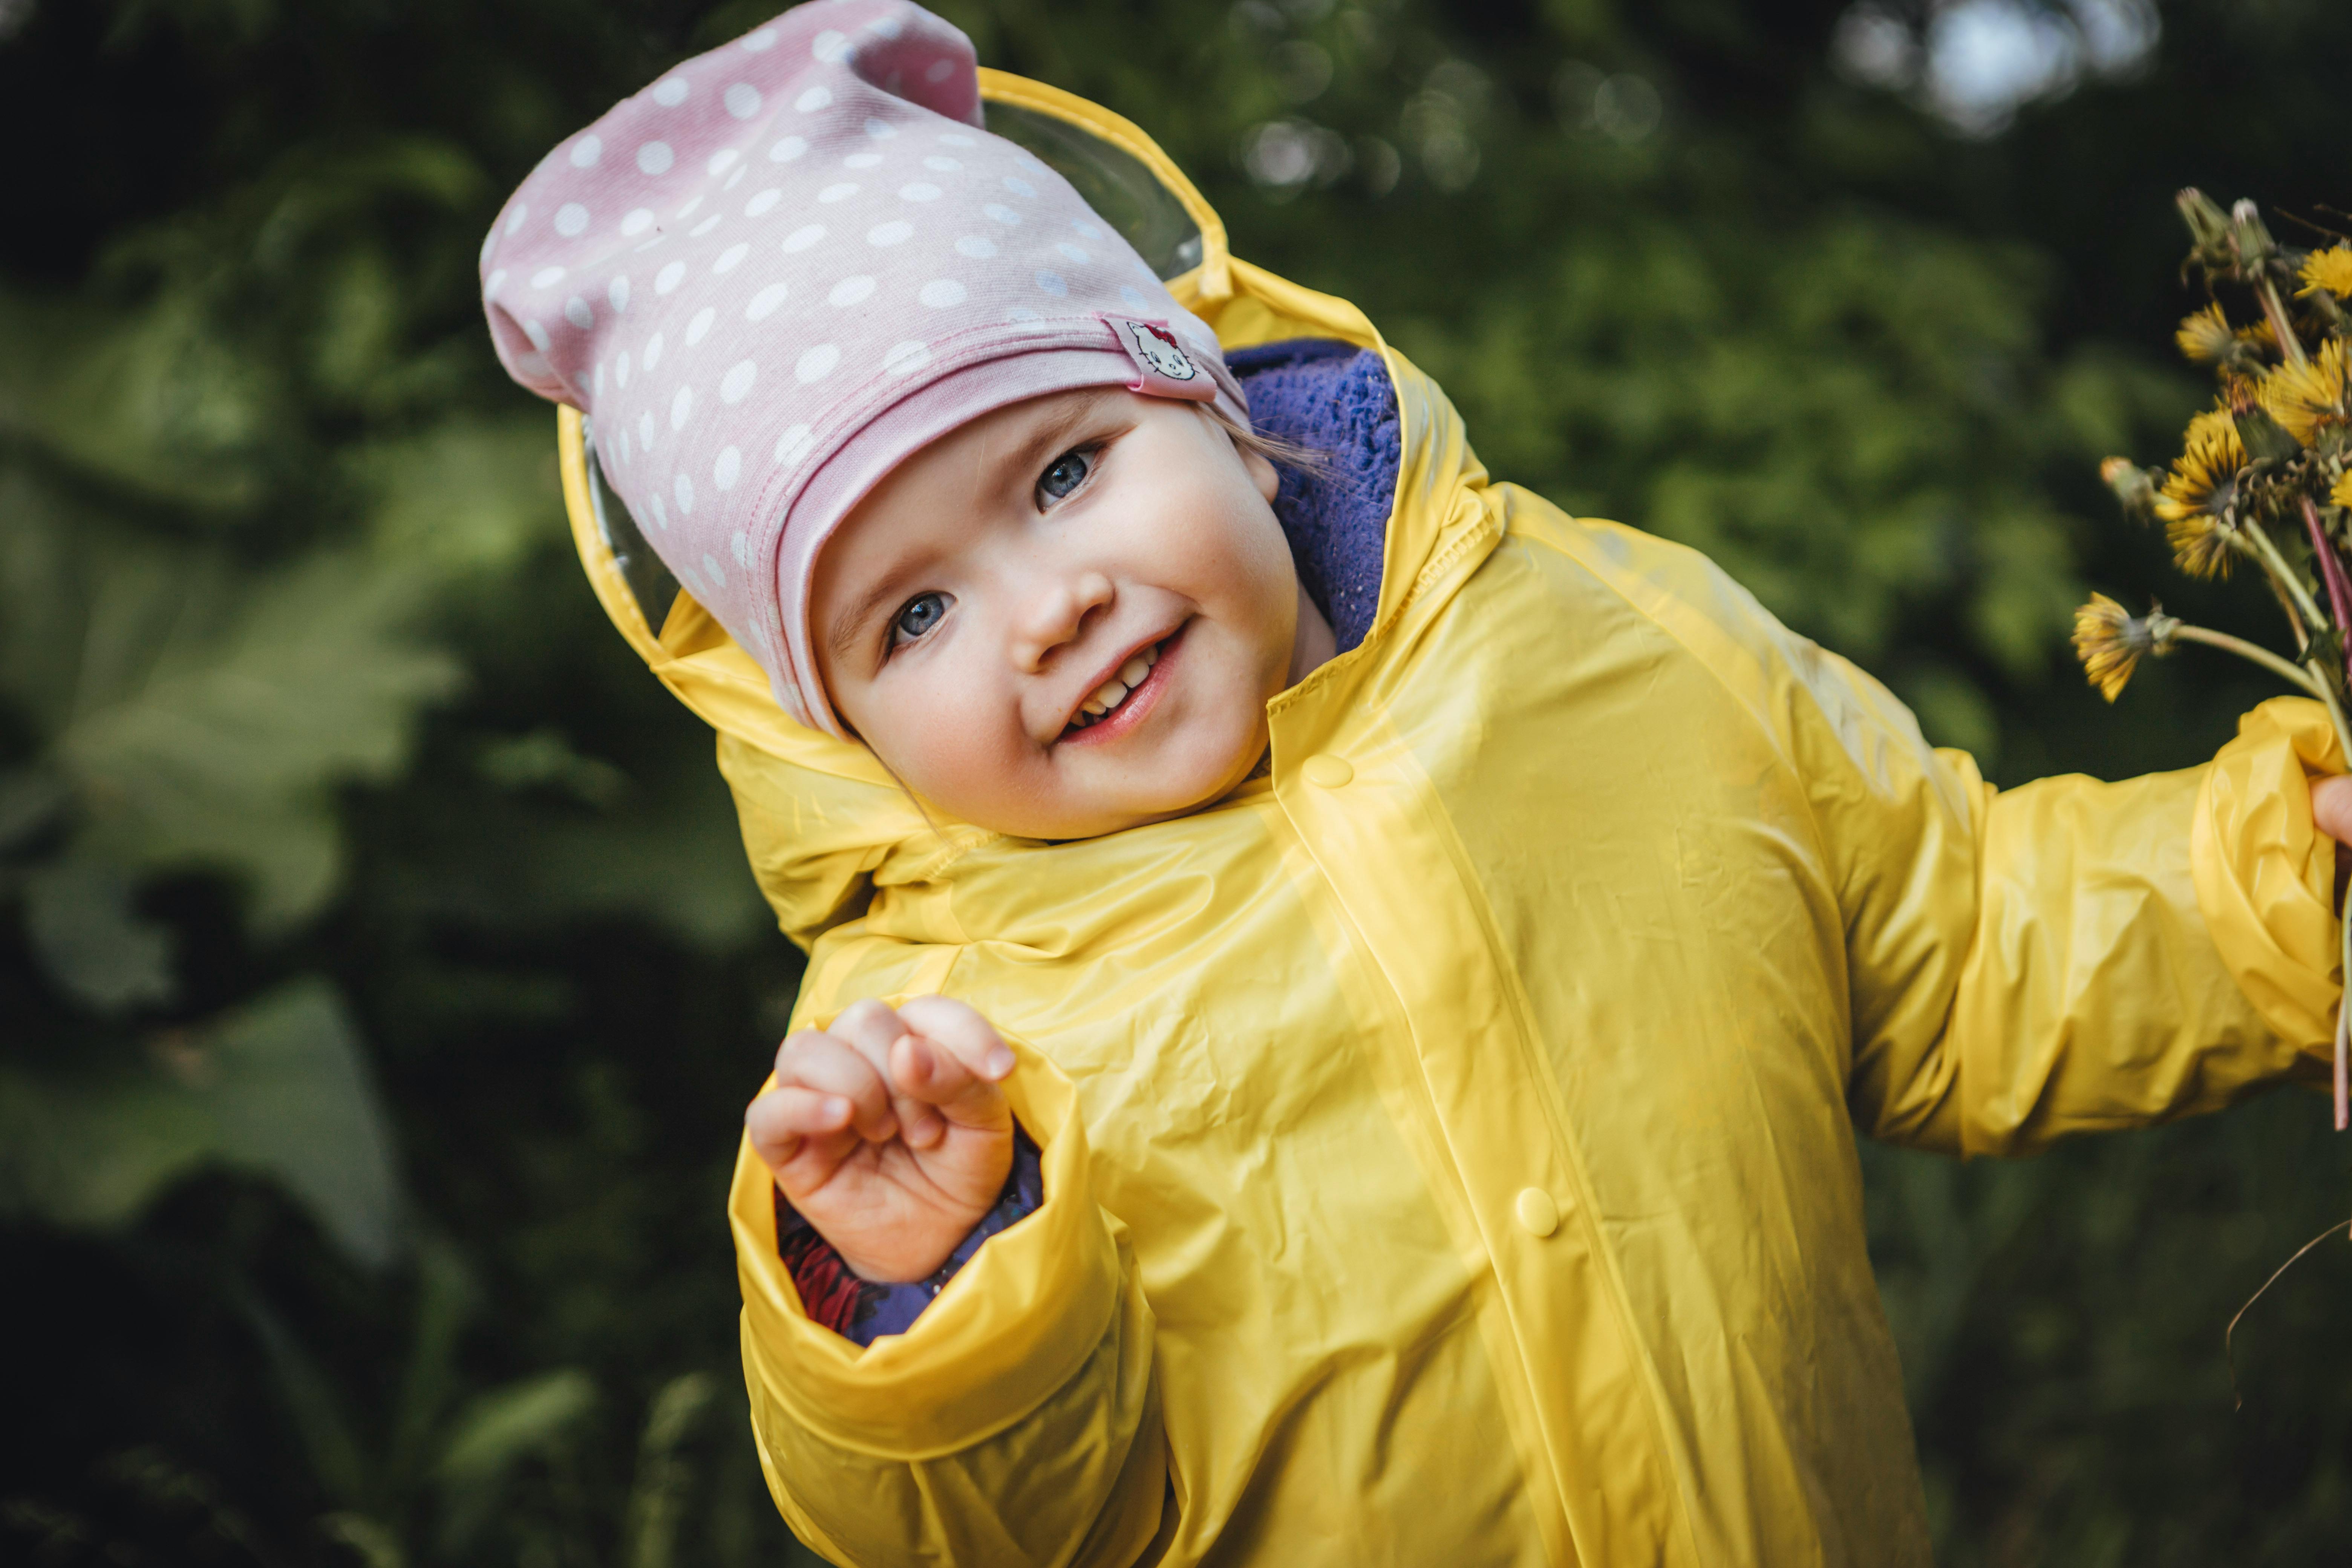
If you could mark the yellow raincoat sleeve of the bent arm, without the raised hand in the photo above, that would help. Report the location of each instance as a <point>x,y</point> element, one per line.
<point>1013,1423</point>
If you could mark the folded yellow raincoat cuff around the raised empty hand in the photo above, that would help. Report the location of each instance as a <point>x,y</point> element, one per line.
<point>1005,1334</point>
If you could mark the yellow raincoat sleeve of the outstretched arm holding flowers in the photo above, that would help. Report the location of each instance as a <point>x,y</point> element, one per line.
<point>2069,956</point>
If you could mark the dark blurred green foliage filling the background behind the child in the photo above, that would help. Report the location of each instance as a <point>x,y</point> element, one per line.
<point>377,963</point>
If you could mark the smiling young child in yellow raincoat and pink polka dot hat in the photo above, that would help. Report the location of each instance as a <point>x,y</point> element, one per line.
<point>1339,998</point>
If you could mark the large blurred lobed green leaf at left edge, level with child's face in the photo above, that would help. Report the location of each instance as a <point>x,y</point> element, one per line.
<point>206,713</point>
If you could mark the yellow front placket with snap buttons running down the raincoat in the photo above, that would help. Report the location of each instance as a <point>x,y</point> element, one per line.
<point>1466,1078</point>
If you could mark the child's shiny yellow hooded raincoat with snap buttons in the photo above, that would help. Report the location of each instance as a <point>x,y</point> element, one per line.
<point>1450,1141</point>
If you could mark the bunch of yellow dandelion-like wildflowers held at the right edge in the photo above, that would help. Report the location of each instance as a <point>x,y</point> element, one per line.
<point>2264,476</point>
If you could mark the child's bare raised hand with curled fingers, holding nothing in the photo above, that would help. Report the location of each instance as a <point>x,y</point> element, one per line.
<point>890,1134</point>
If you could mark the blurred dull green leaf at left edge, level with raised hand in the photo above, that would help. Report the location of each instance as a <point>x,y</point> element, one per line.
<point>274,1087</point>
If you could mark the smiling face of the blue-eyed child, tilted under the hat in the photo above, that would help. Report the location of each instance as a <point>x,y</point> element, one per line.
<point>996,587</point>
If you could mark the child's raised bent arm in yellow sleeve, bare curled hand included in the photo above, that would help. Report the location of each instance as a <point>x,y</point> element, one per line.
<point>1017,1421</point>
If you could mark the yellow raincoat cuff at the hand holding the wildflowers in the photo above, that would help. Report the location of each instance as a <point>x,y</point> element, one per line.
<point>2266,876</point>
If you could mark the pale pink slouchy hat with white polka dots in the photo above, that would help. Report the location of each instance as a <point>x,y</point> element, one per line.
<point>794,262</point>
